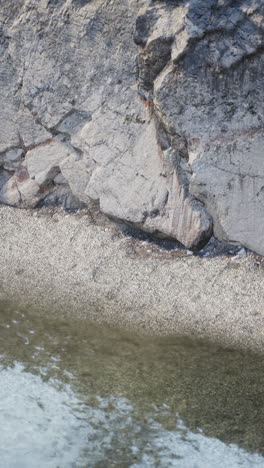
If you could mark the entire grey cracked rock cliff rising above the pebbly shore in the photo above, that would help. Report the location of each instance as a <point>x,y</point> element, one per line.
<point>151,110</point>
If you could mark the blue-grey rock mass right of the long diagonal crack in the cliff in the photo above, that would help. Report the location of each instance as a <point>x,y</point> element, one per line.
<point>209,93</point>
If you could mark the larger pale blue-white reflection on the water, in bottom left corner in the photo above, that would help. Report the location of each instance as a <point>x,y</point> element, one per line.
<point>33,414</point>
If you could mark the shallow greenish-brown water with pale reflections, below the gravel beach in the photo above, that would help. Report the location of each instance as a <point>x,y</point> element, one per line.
<point>73,394</point>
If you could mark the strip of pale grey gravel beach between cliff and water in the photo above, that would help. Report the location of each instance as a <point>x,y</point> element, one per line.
<point>64,263</point>
